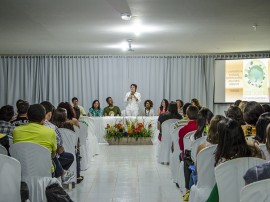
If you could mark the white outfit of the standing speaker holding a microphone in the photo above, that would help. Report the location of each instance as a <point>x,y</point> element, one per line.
<point>132,105</point>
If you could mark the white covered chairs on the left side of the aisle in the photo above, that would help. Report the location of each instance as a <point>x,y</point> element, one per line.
<point>34,163</point>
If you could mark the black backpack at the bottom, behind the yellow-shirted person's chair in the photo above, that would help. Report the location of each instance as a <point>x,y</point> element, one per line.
<point>55,193</point>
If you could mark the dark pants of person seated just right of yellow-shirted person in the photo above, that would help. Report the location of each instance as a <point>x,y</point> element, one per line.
<point>62,163</point>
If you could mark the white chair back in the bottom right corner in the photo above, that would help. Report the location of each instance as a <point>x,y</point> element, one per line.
<point>257,191</point>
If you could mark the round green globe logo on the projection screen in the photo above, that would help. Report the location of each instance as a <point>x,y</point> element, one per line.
<point>255,73</point>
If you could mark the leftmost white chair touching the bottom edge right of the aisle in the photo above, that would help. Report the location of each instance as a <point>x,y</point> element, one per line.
<point>206,175</point>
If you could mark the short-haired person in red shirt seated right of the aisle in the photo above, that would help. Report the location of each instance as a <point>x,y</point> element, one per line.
<point>192,112</point>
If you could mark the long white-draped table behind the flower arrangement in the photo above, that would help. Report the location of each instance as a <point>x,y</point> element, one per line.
<point>98,124</point>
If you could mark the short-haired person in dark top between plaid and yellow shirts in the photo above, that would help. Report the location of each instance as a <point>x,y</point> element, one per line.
<point>22,109</point>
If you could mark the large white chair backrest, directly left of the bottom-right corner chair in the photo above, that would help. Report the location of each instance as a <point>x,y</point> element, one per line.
<point>229,177</point>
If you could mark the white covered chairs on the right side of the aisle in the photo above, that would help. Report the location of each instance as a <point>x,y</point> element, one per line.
<point>228,176</point>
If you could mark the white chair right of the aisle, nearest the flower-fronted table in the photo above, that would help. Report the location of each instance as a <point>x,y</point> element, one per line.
<point>166,142</point>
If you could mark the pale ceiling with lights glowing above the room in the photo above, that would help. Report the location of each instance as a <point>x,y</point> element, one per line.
<point>94,27</point>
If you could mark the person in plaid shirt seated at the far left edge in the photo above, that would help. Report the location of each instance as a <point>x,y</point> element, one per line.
<point>6,114</point>
